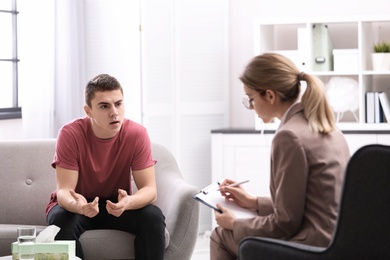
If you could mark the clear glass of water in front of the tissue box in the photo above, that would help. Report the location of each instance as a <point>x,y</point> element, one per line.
<point>26,242</point>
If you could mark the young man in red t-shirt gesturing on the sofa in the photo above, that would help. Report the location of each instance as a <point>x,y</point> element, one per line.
<point>94,159</point>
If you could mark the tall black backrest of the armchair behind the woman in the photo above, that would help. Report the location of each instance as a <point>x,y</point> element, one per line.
<point>363,225</point>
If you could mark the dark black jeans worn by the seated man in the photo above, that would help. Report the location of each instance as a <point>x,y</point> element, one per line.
<point>148,224</point>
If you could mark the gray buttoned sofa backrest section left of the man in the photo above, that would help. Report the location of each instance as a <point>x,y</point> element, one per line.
<point>26,180</point>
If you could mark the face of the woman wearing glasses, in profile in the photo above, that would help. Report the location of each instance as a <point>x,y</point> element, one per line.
<point>263,105</point>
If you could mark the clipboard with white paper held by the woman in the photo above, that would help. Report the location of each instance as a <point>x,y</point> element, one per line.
<point>210,196</point>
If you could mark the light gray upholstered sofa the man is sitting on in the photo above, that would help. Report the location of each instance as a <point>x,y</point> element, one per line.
<point>27,180</point>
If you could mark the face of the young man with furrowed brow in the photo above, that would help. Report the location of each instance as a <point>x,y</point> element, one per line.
<point>106,113</point>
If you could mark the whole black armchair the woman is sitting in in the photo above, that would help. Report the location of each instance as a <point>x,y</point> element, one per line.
<point>363,228</point>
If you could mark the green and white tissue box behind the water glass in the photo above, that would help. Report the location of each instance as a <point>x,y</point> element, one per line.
<point>57,250</point>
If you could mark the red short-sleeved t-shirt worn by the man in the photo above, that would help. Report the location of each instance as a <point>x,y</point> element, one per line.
<point>104,165</point>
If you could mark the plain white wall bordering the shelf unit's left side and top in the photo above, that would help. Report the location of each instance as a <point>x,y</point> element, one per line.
<point>242,15</point>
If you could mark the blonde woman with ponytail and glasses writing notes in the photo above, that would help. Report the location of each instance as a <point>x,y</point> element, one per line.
<point>308,159</point>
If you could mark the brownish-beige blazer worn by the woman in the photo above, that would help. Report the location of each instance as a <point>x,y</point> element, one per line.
<point>307,170</point>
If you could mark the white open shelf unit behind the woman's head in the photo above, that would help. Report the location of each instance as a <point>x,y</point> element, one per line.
<point>293,38</point>
